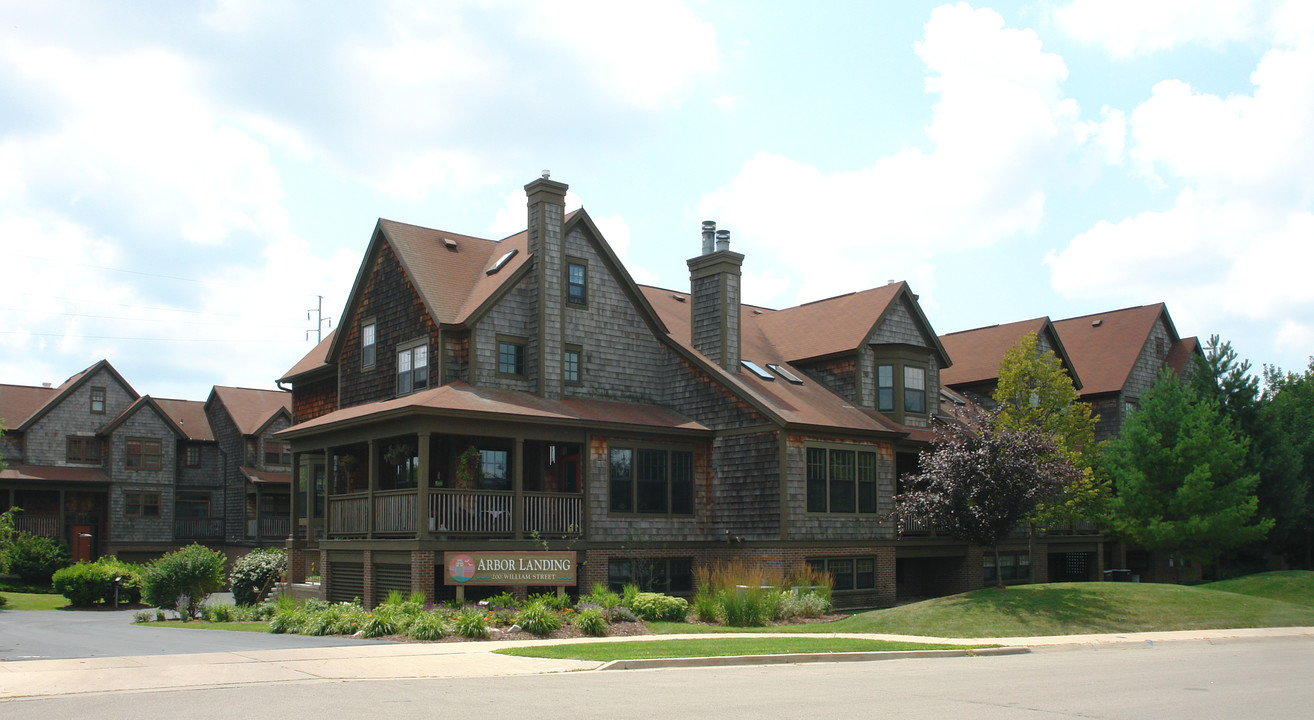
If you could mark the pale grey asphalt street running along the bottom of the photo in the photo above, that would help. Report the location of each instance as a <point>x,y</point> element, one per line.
<point>1182,680</point>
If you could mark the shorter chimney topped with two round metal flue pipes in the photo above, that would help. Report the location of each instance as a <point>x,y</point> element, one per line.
<point>714,279</point>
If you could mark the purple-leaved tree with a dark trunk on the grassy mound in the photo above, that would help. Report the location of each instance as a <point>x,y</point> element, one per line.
<point>978,483</point>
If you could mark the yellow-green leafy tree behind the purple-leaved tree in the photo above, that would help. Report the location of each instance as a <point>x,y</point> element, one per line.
<point>1036,392</point>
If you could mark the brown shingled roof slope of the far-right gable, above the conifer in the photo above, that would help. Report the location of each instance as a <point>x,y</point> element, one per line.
<point>1106,346</point>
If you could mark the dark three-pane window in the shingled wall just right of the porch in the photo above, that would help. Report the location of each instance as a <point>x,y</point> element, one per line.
<point>652,482</point>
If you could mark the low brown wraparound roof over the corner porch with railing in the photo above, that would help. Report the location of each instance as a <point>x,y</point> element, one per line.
<point>459,399</point>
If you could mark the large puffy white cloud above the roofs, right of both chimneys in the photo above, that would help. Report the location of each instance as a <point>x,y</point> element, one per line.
<point>1002,128</point>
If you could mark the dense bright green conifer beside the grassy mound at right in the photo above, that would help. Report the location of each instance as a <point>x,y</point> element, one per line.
<point>1179,476</point>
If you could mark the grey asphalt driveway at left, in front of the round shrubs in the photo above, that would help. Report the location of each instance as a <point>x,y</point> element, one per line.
<point>79,634</point>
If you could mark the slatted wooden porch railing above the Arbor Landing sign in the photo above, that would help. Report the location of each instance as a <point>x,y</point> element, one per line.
<point>454,513</point>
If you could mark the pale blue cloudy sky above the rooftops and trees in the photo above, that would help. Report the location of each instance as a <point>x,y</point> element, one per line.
<point>185,185</point>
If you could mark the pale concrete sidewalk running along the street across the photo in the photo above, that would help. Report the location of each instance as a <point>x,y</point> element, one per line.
<point>450,660</point>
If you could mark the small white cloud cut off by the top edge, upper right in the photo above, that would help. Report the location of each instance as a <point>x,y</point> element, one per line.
<point>1132,28</point>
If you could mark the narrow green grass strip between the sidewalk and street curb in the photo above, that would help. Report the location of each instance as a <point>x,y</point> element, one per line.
<point>643,650</point>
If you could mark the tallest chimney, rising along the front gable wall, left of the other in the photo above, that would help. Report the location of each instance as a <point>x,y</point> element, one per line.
<point>547,204</point>
